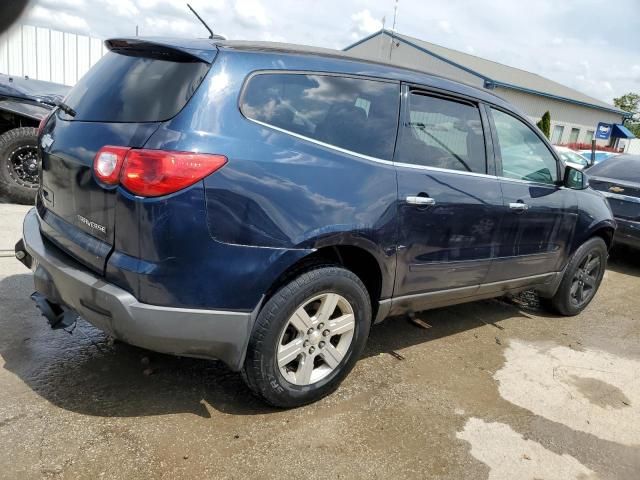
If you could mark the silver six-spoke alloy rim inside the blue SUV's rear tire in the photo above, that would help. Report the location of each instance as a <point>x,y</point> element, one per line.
<point>315,339</point>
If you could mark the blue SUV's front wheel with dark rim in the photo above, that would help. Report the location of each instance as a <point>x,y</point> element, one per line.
<point>567,300</point>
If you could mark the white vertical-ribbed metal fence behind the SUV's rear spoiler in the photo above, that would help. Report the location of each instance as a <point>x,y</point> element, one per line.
<point>47,54</point>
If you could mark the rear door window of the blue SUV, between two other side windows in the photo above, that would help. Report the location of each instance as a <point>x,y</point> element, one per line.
<point>442,133</point>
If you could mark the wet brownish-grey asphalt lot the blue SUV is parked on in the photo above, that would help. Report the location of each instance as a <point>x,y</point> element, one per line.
<point>493,389</point>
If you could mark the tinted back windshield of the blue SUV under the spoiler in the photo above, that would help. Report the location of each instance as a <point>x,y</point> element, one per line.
<point>135,87</point>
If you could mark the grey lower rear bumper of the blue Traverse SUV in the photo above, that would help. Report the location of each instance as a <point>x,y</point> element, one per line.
<point>181,331</point>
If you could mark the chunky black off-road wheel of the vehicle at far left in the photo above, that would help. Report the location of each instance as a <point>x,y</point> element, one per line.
<point>19,164</point>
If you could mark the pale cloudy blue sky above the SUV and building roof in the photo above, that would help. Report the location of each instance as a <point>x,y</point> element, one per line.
<point>580,43</point>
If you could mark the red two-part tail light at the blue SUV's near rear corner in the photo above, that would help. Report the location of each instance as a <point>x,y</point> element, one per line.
<point>153,173</point>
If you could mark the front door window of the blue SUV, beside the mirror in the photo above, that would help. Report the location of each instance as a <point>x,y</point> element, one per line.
<point>524,155</point>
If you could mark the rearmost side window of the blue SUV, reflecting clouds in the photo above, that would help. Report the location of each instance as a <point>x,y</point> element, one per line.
<point>359,115</point>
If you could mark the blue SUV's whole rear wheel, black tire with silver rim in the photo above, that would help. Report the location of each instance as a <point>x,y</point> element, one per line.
<point>279,335</point>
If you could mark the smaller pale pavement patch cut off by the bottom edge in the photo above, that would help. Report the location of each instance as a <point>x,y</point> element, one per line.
<point>511,456</point>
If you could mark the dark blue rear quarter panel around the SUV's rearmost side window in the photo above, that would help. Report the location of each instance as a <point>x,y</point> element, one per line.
<point>278,192</point>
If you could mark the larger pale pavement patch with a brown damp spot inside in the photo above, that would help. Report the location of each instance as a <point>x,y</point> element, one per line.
<point>589,391</point>
